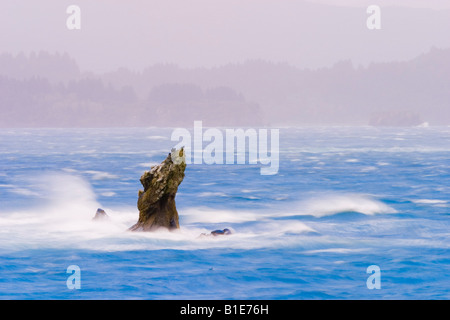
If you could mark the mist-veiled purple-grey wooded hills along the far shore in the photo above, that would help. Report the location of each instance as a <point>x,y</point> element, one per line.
<point>49,90</point>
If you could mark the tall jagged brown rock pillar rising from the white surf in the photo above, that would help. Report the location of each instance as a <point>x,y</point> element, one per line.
<point>156,203</point>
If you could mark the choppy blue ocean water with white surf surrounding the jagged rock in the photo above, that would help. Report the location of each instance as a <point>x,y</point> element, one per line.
<point>344,199</point>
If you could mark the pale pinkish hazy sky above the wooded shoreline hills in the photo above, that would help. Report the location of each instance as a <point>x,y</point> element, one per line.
<point>193,33</point>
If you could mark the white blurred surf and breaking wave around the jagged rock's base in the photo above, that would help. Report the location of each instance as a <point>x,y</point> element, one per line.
<point>63,219</point>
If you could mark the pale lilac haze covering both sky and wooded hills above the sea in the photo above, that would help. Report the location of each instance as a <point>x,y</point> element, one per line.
<point>228,63</point>
